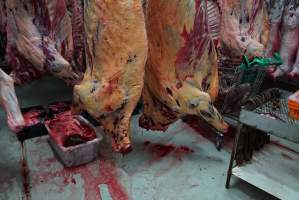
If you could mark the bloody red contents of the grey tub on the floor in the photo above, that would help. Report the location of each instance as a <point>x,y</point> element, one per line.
<point>66,125</point>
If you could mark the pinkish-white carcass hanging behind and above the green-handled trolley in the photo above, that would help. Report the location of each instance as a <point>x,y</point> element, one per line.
<point>244,27</point>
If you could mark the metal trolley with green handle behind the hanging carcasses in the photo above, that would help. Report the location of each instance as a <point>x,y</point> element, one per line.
<point>250,73</point>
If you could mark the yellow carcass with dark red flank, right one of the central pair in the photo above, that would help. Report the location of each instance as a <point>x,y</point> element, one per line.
<point>181,73</point>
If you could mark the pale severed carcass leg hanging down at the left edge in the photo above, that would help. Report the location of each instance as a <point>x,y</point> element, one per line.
<point>10,103</point>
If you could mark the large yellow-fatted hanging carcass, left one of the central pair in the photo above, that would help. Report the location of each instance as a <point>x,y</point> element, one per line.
<point>116,54</point>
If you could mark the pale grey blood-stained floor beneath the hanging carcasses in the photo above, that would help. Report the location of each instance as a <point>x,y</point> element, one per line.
<point>177,165</point>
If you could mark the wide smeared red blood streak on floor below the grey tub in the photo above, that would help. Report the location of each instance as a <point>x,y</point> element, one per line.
<point>92,179</point>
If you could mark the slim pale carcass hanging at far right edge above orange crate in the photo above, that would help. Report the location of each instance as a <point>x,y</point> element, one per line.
<point>290,40</point>
